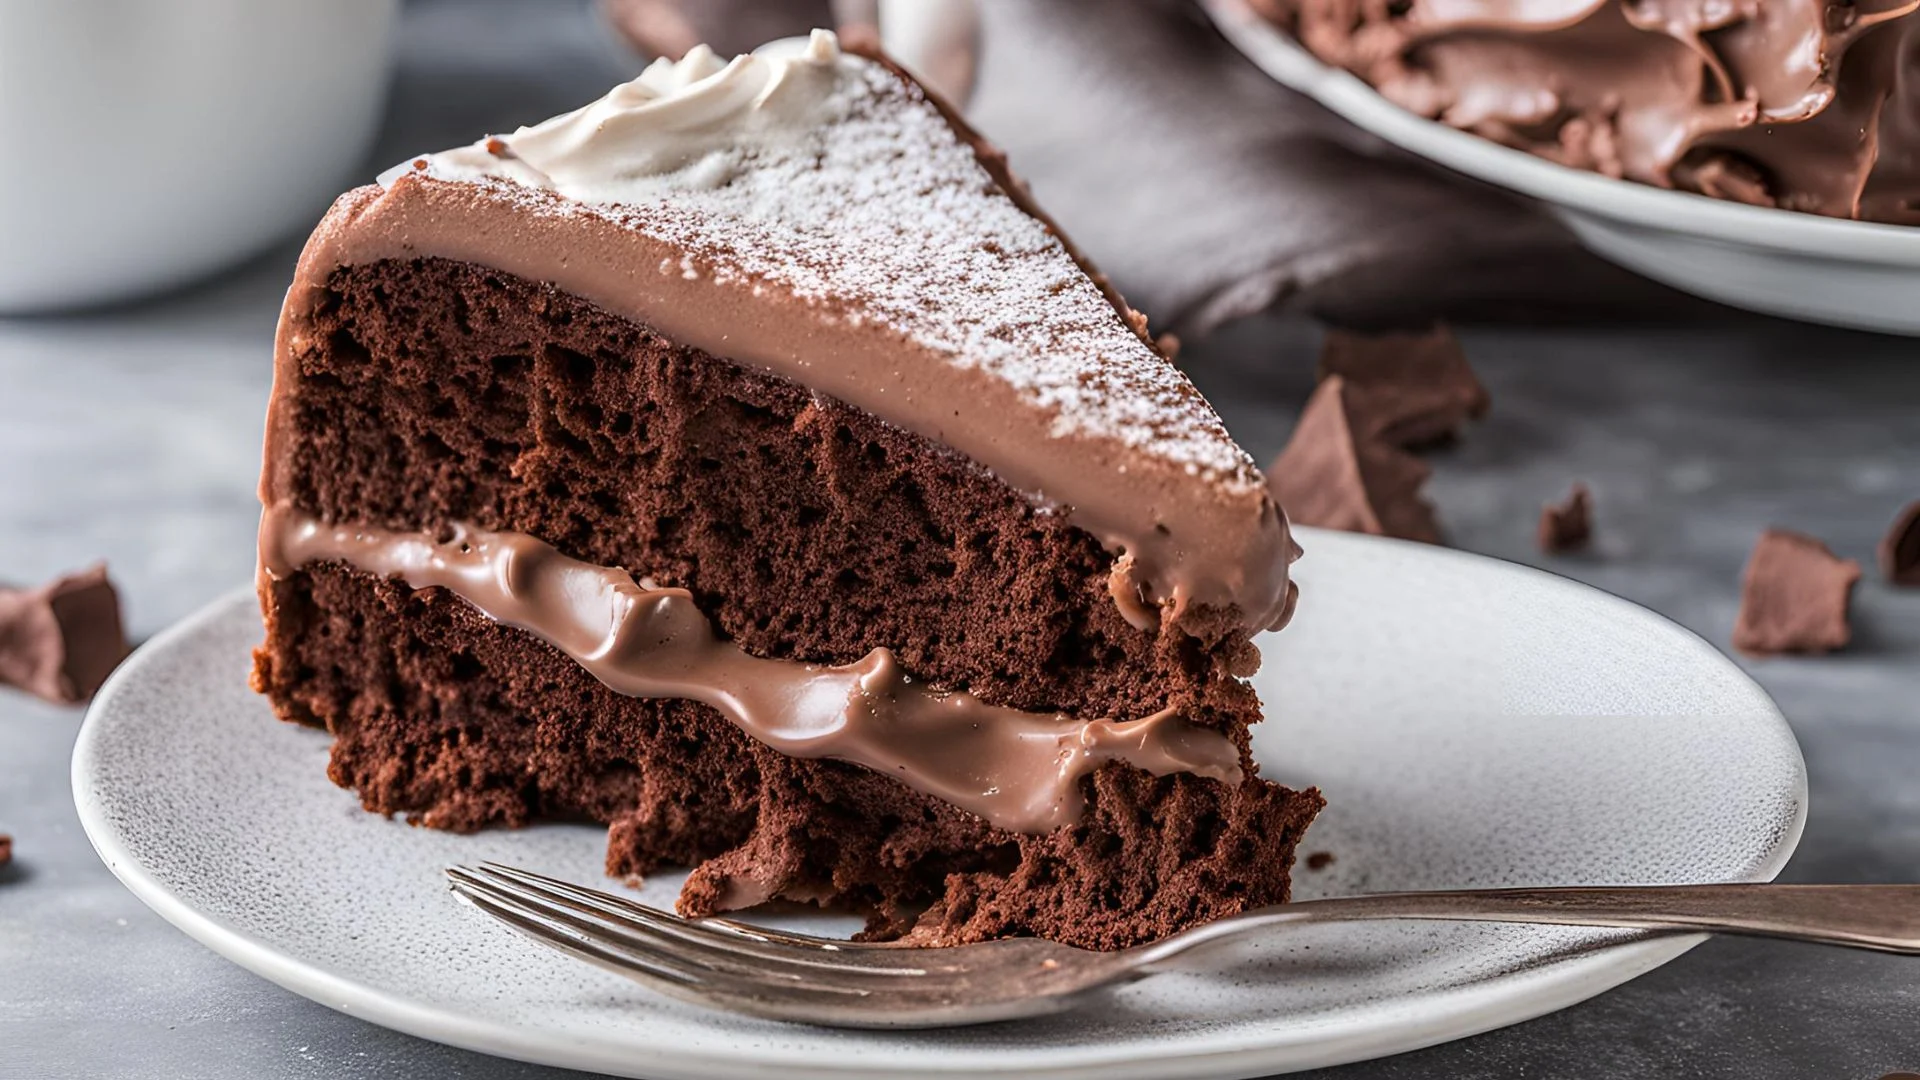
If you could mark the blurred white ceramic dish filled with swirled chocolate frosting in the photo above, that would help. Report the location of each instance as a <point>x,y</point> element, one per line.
<point>1802,266</point>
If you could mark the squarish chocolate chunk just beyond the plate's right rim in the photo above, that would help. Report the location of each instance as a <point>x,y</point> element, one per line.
<point>1794,597</point>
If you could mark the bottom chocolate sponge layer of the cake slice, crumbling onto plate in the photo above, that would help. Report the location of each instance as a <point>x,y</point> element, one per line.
<point>464,724</point>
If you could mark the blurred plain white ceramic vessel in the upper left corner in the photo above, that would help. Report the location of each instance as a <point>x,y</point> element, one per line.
<point>145,145</point>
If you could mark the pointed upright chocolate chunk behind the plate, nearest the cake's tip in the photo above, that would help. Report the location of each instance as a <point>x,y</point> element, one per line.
<point>1335,476</point>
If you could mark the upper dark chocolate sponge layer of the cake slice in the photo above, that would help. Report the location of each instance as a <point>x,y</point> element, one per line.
<point>439,393</point>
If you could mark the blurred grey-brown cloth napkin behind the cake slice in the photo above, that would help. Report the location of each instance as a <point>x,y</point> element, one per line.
<point>1209,191</point>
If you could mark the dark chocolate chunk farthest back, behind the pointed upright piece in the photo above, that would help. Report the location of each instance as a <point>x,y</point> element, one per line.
<point>1420,387</point>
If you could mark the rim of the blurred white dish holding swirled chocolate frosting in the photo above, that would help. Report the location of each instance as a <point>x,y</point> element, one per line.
<point>1575,191</point>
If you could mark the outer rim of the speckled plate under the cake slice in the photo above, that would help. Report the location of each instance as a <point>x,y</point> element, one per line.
<point>1485,1006</point>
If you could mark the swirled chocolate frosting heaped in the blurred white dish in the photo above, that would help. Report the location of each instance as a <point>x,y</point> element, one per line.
<point>1802,105</point>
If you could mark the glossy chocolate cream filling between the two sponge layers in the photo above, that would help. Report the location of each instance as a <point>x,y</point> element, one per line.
<point>1017,770</point>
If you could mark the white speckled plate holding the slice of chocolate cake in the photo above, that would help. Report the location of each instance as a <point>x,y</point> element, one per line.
<point>1474,724</point>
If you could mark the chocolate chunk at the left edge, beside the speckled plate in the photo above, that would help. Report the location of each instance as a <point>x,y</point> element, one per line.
<point>60,641</point>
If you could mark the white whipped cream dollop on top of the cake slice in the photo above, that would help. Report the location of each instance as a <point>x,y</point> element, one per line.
<point>688,124</point>
